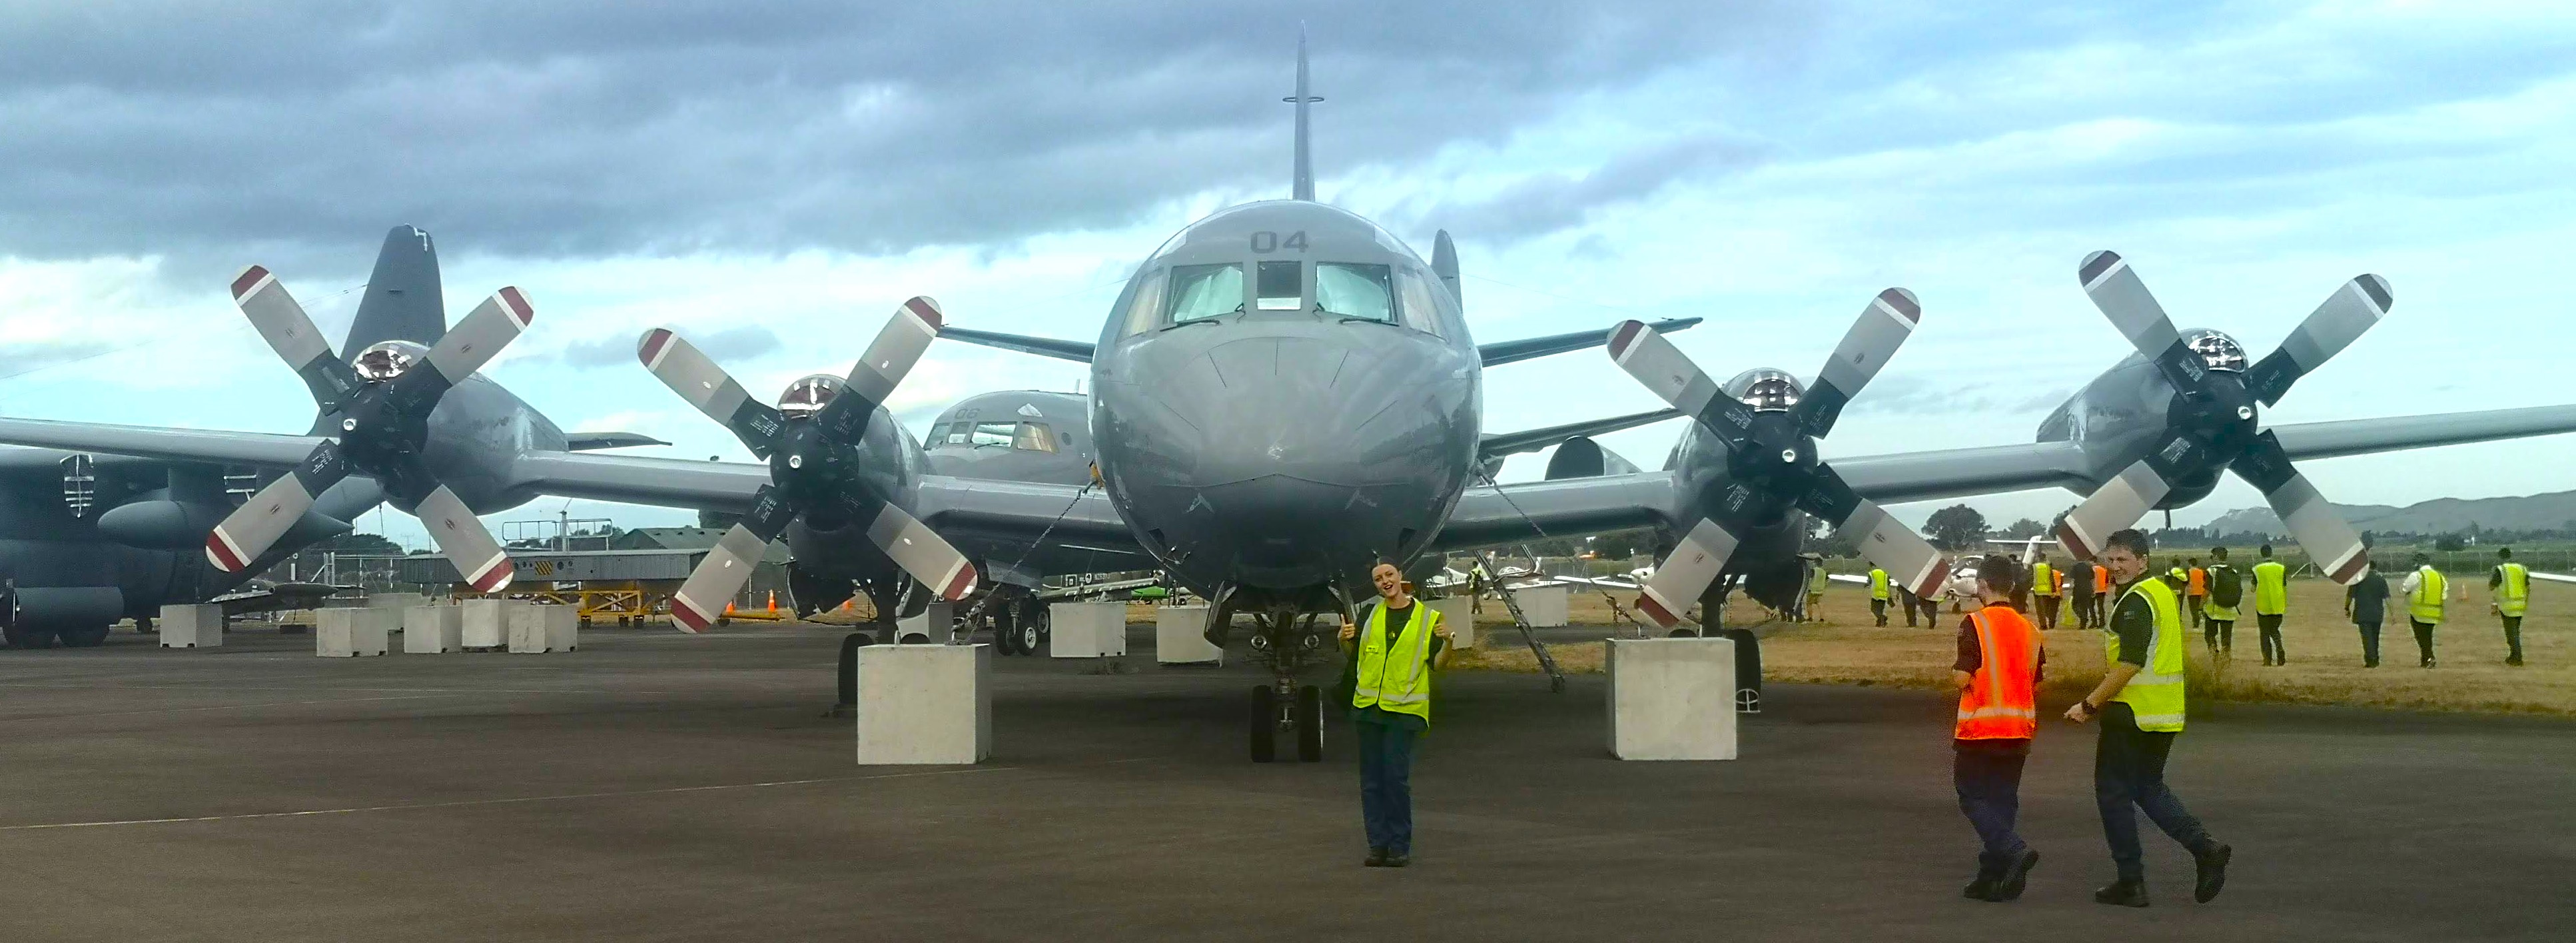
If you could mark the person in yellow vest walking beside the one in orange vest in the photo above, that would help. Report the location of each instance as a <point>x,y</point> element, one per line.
<point>2142,712</point>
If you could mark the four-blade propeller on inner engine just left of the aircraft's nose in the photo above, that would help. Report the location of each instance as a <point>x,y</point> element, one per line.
<point>815,465</point>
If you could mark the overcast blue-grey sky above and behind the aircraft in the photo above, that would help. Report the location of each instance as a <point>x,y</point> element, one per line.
<point>779,176</point>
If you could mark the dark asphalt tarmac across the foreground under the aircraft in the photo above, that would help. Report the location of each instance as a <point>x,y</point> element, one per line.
<point>661,787</point>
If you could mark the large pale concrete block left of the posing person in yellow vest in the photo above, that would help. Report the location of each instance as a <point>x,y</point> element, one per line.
<point>923,705</point>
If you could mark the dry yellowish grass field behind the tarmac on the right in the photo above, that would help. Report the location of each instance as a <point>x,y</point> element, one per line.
<point>2325,656</point>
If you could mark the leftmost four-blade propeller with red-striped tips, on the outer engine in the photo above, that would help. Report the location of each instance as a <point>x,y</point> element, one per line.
<point>385,421</point>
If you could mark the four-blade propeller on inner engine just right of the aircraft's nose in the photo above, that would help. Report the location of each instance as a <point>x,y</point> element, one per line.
<point>1774,457</point>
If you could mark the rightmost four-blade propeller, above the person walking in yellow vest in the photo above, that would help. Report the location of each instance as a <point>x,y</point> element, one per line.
<point>2211,421</point>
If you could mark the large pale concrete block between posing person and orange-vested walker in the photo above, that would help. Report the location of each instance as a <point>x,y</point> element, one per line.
<point>1673,700</point>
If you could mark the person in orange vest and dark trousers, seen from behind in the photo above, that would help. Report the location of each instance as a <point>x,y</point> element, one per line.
<point>1998,679</point>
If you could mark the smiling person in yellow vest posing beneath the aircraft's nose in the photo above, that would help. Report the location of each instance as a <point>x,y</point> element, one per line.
<point>1392,705</point>
